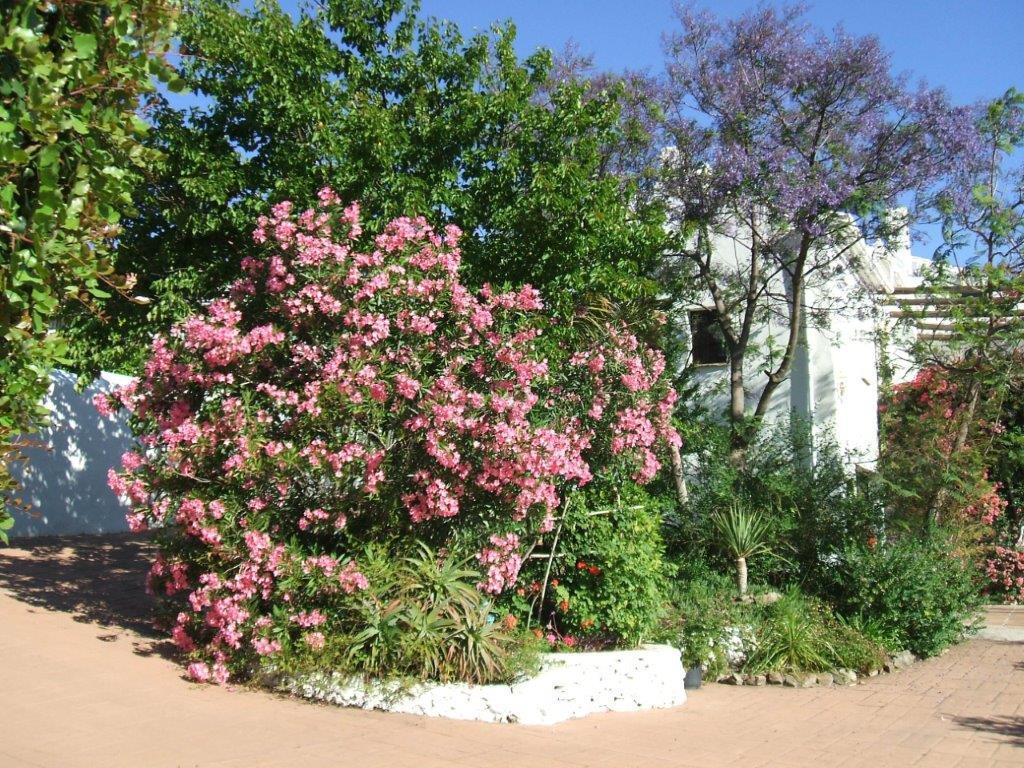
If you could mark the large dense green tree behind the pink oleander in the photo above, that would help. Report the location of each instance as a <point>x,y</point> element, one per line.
<point>403,114</point>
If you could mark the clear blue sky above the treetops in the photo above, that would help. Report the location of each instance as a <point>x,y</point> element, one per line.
<point>971,48</point>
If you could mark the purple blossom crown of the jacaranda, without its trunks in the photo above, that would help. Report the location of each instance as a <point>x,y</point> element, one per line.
<point>774,116</point>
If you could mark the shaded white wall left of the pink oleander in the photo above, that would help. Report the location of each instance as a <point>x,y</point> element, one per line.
<point>65,480</point>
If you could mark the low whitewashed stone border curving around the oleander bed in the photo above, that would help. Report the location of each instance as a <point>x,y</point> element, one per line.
<point>569,686</point>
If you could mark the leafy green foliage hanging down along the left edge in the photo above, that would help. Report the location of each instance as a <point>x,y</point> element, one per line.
<point>72,75</point>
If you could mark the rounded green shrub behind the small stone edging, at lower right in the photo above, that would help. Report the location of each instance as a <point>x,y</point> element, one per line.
<point>907,594</point>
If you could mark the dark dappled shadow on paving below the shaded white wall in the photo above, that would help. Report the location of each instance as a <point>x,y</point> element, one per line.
<point>96,579</point>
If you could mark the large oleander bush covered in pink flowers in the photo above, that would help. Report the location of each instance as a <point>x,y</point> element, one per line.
<point>349,391</point>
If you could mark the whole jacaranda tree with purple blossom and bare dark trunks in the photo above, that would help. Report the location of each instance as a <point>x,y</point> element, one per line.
<point>795,145</point>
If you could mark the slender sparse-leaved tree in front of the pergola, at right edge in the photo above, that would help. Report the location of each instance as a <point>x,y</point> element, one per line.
<point>967,321</point>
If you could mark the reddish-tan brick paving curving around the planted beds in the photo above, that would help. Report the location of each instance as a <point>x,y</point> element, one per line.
<point>87,685</point>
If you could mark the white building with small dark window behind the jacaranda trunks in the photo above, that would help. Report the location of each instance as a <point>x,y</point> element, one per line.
<point>834,382</point>
